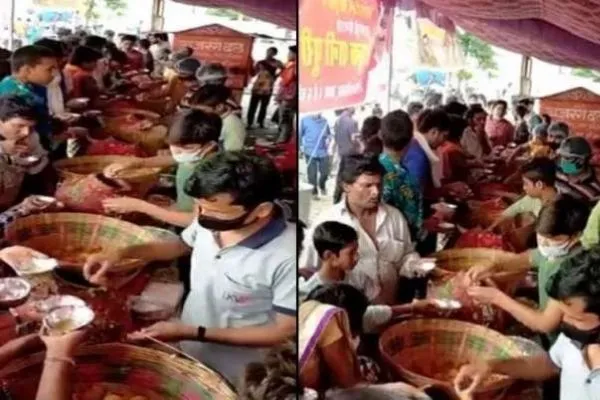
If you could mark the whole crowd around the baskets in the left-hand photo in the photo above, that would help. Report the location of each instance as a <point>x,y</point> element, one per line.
<point>226,205</point>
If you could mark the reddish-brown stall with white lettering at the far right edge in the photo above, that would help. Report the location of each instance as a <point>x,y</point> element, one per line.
<point>580,109</point>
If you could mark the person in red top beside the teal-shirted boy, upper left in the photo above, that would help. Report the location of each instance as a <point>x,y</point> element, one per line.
<point>79,74</point>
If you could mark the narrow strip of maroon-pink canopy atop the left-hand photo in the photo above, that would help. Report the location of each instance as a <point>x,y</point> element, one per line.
<point>280,12</point>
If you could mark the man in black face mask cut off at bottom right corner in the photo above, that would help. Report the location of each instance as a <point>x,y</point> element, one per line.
<point>575,355</point>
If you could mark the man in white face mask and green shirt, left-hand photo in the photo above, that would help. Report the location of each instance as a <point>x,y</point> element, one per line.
<point>192,137</point>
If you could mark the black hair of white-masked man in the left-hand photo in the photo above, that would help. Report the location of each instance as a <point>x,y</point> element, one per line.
<point>194,127</point>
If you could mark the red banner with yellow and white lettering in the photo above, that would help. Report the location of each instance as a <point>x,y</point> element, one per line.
<point>342,42</point>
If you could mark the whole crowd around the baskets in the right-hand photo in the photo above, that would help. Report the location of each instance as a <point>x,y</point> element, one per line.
<point>361,259</point>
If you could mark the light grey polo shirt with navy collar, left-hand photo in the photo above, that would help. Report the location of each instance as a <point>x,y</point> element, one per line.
<point>239,286</point>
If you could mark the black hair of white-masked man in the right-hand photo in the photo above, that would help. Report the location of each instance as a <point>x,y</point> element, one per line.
<point>566,215</point>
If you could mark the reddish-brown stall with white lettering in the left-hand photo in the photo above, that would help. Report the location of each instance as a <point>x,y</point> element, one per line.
<point>218,44</point>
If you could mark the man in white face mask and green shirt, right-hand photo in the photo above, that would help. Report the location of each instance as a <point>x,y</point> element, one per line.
<point>559,227</point>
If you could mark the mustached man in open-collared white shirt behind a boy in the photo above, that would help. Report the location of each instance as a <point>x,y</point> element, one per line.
<point>384,244</point>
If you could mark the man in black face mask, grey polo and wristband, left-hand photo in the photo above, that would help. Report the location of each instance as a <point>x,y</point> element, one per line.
<point>243,266</point>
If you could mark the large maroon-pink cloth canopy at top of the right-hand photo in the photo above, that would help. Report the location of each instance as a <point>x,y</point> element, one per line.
<point>565,32</point>
